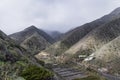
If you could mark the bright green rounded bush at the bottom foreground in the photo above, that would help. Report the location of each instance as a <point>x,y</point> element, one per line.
<point>36,73</point>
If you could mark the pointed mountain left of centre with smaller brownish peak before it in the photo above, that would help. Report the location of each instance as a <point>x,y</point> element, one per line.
<point>33,39</point>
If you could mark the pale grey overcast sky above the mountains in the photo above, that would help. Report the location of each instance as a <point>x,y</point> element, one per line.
<point>60,15</point>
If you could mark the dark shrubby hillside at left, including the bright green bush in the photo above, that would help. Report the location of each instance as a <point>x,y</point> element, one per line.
<point>15,62</point>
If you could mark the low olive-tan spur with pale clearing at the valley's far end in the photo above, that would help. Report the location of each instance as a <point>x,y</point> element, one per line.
<point>51,54</point>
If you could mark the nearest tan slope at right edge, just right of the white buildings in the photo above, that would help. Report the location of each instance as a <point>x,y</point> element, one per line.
<point>108,56</point>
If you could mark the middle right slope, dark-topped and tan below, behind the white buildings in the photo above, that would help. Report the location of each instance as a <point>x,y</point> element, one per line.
<point>97,38</point>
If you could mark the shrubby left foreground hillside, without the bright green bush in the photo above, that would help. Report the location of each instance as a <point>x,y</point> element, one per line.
<point>13,58</point>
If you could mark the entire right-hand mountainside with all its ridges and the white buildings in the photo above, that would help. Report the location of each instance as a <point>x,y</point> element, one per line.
<point>94,45</point>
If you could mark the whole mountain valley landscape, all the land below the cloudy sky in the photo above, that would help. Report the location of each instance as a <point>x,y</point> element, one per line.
<point>88,52</point>
